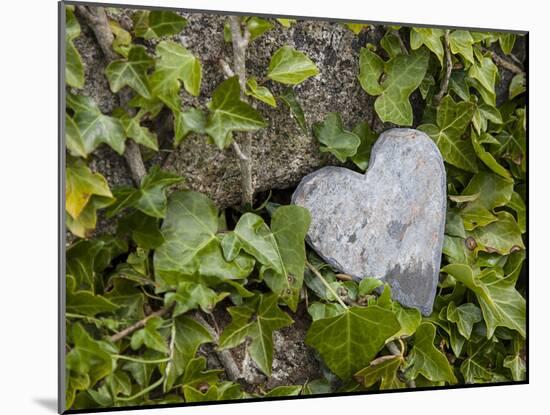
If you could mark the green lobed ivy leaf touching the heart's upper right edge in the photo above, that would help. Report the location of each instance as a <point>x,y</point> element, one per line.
<point>452,120</point>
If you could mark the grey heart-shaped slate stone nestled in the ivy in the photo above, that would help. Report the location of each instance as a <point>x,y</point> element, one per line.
<point>387,223</point>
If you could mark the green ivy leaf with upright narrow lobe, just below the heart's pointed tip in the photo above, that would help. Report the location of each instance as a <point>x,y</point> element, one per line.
<point>426,360</point>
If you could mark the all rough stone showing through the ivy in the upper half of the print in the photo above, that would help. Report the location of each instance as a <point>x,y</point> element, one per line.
<point>282,154</point>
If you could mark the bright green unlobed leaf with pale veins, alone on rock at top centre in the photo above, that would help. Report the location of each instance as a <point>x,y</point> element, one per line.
<point>291,67</point>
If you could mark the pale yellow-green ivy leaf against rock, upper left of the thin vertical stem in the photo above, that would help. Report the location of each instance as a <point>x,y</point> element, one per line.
<point>175,63</point>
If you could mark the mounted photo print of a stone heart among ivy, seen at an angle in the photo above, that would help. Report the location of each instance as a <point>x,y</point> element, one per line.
<point>280,207</point>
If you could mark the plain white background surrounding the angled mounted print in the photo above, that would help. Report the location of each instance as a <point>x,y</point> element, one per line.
<point>28,200</point>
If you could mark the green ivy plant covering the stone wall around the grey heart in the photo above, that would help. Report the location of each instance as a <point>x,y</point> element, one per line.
<point>146,301</point>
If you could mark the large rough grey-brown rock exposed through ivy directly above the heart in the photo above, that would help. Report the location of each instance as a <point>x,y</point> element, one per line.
<point>282,154</point>
